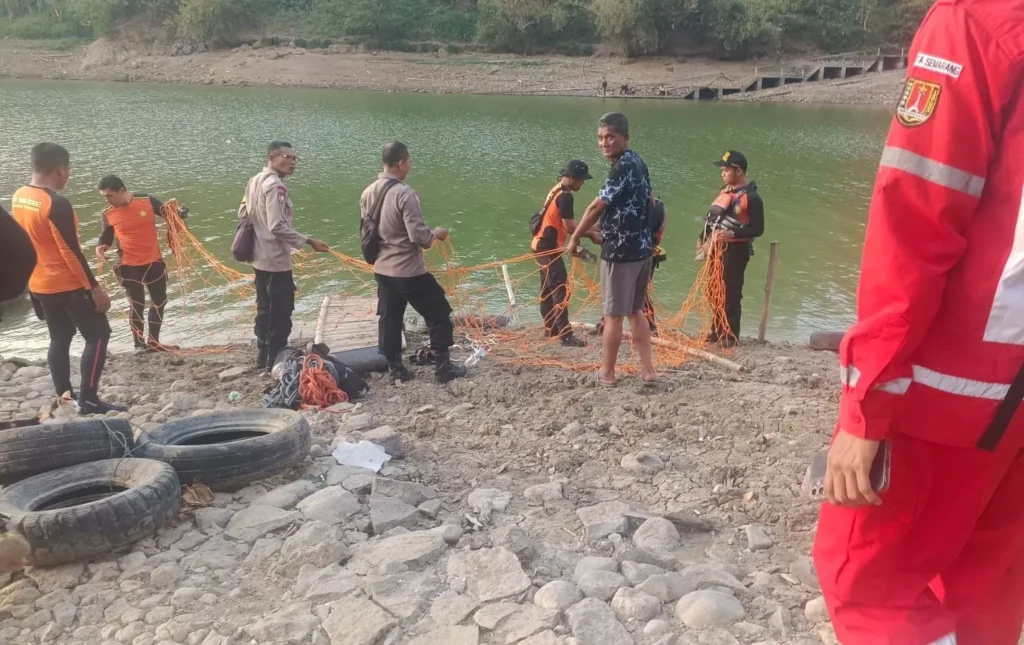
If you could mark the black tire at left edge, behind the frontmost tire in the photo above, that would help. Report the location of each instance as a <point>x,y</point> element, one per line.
<point>34,450</point>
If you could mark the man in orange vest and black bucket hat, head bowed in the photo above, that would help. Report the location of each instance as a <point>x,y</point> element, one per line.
<point>557,223</point>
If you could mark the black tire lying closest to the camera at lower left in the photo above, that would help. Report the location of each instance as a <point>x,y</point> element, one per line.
<point>70,514</point>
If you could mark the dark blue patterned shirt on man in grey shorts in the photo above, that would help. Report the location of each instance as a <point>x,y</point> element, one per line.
<point>626,223</point>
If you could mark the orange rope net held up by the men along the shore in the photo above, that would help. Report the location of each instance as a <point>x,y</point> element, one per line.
<point>497,304</point>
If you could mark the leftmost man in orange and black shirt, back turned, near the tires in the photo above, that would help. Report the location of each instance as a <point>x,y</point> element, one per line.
<point>64,290</point>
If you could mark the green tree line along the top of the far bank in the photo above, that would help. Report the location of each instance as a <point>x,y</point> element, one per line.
<point>728,29</point>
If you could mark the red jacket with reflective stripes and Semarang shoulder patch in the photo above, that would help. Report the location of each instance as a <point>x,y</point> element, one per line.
<point>941,317</point>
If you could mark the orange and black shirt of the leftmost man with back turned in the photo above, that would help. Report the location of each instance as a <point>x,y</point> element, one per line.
<point>58,269</point>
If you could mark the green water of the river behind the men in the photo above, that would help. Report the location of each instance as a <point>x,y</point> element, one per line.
<point>482,166</point>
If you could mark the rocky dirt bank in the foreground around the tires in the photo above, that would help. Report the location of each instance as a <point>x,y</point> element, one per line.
<point>729,449</point>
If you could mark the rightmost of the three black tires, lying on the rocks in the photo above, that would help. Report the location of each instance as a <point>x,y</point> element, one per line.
<point>230,451</point>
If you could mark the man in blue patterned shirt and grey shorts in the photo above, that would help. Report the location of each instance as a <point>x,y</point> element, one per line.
<point>627,245</point>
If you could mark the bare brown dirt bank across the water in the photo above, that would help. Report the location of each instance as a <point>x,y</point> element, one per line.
<point>345,68</point>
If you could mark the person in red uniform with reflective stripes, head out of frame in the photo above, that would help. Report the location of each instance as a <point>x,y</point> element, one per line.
<point>934,363</point>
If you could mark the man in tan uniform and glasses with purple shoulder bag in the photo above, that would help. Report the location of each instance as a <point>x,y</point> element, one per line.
<point>270,209</point>
